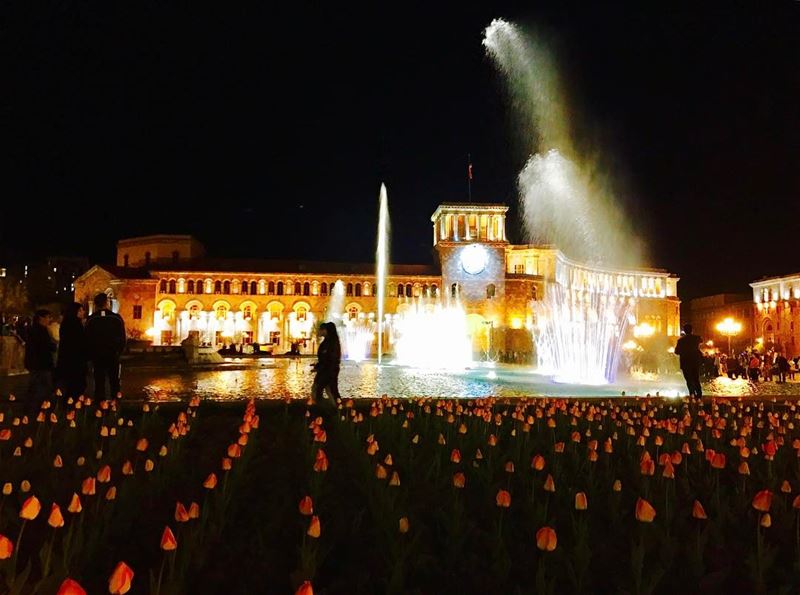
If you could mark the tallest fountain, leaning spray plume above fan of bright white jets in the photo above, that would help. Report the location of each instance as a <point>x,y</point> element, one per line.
<point>578,335</point>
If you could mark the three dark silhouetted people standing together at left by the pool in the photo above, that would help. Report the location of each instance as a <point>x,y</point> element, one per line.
<point>98,340</point>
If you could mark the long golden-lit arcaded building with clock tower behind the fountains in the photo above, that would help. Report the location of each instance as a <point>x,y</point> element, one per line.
<point>166,288</point>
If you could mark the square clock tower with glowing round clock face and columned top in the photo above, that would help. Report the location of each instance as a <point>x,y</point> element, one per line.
<point>471,241</point>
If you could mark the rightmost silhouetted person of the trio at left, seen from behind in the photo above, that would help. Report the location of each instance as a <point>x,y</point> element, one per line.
<point>105,338</point>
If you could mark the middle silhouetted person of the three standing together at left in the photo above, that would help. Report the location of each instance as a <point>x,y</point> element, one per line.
<point>72,366</point>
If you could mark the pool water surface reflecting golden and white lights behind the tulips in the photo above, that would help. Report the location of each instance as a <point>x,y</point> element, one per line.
<point>282,378</point>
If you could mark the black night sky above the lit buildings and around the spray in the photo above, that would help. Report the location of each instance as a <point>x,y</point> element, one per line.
<point>266,131</point>
